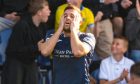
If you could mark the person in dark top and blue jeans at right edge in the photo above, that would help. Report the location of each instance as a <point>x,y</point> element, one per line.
<point>133,23</point>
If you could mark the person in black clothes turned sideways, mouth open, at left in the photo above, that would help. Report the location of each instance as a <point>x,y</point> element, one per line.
<point>20,66</point>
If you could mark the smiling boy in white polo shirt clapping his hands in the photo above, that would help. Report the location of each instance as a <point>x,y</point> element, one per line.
<point>115,69</point>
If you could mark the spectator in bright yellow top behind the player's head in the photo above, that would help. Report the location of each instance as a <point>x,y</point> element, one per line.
<point>87,16</point>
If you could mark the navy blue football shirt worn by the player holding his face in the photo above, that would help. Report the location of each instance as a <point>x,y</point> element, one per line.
<point>68,69</point>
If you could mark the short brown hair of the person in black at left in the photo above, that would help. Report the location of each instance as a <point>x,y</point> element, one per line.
<point>36,5</point>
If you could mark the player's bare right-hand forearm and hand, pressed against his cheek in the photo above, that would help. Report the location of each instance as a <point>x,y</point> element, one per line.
<point>79,48</point>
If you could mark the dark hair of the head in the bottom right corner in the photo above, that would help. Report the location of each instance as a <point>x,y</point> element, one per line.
<point>135,69</point>
